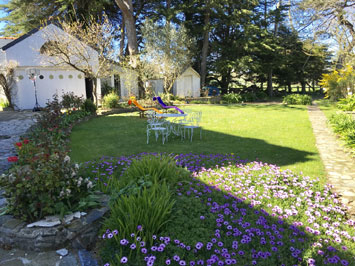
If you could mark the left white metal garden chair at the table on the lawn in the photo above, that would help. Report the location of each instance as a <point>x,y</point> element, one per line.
<point>158,126</point>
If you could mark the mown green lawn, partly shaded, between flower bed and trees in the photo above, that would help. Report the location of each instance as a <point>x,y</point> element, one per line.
<point>274,134</point>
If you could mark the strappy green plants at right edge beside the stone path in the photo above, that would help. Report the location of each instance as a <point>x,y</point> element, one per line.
<point>344,125</point>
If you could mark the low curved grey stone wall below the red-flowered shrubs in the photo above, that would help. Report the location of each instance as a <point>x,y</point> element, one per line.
<point>78,230</point>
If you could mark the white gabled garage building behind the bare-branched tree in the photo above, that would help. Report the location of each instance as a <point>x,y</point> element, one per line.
<point>51,80</point>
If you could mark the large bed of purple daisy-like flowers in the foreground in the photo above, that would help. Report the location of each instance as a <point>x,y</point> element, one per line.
<point>238,213</point>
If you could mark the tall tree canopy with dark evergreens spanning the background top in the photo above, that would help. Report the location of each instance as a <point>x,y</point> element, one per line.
<point>256,41</point>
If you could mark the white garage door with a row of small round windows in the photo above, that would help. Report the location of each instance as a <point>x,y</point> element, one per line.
<point>54,82</point>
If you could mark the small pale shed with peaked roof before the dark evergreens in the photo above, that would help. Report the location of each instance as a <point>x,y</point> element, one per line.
<point>187,84</point>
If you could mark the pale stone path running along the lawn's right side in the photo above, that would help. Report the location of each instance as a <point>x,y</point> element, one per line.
<point>340,167</point>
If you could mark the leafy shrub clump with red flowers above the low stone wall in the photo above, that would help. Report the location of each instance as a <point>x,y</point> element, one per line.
<point>42,181</point>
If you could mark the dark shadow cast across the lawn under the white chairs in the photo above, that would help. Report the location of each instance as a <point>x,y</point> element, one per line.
<point>122,135</point>
